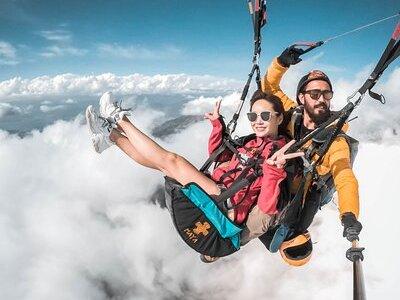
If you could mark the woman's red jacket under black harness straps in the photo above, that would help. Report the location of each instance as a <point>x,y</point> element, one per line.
<point>265,189</point>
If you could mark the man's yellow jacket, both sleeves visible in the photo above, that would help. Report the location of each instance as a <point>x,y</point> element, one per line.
<point>336,160</point>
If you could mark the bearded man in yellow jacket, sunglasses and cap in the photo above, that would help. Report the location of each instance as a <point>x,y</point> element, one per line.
<point>314,94</point>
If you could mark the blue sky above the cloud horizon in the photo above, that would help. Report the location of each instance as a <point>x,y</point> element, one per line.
<point>39,37</point>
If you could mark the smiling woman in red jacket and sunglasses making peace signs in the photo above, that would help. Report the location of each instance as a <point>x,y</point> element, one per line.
<point>254,205</point>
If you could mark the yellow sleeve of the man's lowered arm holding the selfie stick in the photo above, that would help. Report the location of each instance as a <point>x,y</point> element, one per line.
<point>345,181</point>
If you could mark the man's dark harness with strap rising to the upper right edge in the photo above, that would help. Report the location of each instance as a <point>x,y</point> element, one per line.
<point>314,190</point>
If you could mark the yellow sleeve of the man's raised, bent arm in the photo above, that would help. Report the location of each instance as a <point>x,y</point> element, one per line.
<point>271,83</point>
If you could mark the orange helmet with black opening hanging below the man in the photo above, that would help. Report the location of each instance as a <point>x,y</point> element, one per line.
<point>297,250</point>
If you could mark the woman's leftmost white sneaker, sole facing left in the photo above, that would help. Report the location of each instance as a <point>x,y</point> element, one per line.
<point>99,130</point>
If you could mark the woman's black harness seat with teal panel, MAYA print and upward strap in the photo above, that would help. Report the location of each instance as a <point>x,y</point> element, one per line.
<point>200,219</point>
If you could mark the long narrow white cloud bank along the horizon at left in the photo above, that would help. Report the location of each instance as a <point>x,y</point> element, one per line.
<point>71,85</point>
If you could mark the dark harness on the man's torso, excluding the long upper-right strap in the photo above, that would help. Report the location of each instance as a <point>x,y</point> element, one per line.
<point>298,208</point>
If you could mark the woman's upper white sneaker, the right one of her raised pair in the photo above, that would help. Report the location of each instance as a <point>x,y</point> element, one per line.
<point>111,110</point>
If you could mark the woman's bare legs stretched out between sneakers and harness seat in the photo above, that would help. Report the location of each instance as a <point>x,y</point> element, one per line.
<point>148,153</point>
